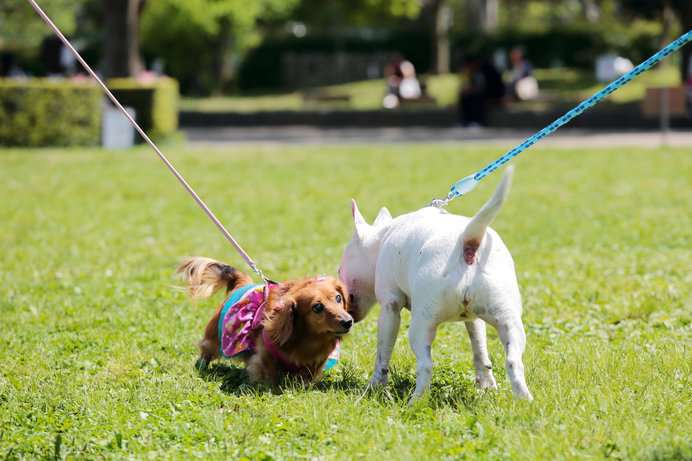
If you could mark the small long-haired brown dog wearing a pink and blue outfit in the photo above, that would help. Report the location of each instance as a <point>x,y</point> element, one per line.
<point>290,331</point>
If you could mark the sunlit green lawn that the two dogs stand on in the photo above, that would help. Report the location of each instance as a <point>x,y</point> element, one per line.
<point>98,347</point>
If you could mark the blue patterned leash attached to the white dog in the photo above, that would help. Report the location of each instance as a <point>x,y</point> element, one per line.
<point>466,184</point>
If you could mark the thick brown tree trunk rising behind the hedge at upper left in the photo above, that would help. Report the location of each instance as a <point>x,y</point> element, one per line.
<point>121,38</point>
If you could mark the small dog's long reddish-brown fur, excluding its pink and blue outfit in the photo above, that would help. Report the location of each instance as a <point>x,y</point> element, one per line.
<point>305,338</point>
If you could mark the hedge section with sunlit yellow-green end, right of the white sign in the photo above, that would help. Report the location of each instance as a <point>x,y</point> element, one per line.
<point>156,104</point>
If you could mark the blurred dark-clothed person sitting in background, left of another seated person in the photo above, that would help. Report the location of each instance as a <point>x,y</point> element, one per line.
<point>482,87</point>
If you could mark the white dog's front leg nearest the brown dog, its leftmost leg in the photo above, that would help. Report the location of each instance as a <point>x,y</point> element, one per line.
<point>387,331</point>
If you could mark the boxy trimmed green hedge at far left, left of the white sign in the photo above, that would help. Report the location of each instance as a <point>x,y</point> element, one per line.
<point>41,112</point>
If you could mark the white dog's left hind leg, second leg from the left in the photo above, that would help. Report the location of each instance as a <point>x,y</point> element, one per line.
<point>421,335</point>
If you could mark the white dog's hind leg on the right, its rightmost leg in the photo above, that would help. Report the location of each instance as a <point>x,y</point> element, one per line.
<point>511,332</point>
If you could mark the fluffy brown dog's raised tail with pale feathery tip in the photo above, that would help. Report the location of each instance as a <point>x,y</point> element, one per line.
<point>206,276</point>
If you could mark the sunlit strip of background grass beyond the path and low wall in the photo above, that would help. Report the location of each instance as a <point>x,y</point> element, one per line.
<point>558,86</point>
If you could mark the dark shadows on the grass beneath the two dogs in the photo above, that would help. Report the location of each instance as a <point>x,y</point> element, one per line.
<point>449,387</point>
